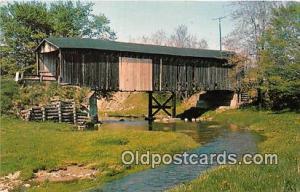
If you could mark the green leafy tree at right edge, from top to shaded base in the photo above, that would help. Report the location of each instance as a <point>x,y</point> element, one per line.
<point>280,66</point>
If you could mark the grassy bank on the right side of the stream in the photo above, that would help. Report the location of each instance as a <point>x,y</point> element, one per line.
<point>281,133</point>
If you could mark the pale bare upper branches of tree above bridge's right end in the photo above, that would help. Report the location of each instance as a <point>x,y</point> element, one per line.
<point>251,20</point>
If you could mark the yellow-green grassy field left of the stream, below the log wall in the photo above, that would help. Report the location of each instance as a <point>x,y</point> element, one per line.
<point>30,146</point>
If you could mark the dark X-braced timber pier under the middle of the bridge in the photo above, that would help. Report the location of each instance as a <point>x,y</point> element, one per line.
<point>153,103</point>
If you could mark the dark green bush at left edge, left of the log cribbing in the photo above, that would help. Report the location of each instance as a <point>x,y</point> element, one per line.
<point>9,93</point>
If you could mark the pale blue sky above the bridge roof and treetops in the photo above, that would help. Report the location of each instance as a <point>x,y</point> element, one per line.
<point>133,19</point>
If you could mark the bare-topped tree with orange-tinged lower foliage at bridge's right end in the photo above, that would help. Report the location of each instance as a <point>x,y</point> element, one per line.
<point>251,21</point>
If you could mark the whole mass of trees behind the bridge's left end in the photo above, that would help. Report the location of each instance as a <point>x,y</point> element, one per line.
<point>25,24</point>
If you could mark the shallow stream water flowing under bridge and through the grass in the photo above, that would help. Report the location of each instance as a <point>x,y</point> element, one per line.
<point>213,137</point>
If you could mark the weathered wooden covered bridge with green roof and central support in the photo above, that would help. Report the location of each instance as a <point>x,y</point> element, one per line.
<point>115,66</point>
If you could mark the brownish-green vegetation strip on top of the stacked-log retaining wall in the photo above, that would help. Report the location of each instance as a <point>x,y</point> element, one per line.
<point>15,97</point>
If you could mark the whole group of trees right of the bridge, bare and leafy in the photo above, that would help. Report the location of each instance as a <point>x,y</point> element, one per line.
<point>270,31</point>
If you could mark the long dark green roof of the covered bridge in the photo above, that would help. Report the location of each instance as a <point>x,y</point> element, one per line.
<point>84,43</point>
